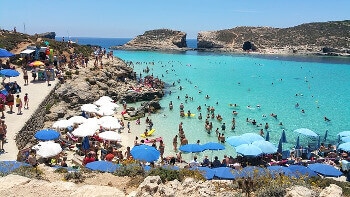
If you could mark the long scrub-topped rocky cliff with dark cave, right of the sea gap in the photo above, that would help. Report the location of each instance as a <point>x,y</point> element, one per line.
<point>326,37</point>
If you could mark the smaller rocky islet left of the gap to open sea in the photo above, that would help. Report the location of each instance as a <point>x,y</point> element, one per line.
<point>159,39</point>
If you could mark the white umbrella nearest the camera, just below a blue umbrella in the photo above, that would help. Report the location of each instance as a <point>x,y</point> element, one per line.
<point>47,149</point>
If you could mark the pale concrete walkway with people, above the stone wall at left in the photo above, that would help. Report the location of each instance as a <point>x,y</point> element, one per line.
<point>37,91</point>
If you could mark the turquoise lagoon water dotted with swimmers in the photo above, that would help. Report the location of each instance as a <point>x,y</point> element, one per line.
<point>275,84</point>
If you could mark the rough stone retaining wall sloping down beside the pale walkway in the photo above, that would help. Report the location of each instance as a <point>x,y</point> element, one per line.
<point>25,137</point>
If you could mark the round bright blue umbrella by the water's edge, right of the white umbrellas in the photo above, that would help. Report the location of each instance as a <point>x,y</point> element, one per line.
<point>145,153</point>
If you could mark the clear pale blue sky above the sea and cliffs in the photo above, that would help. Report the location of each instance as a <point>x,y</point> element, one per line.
<point>129,18</point>
